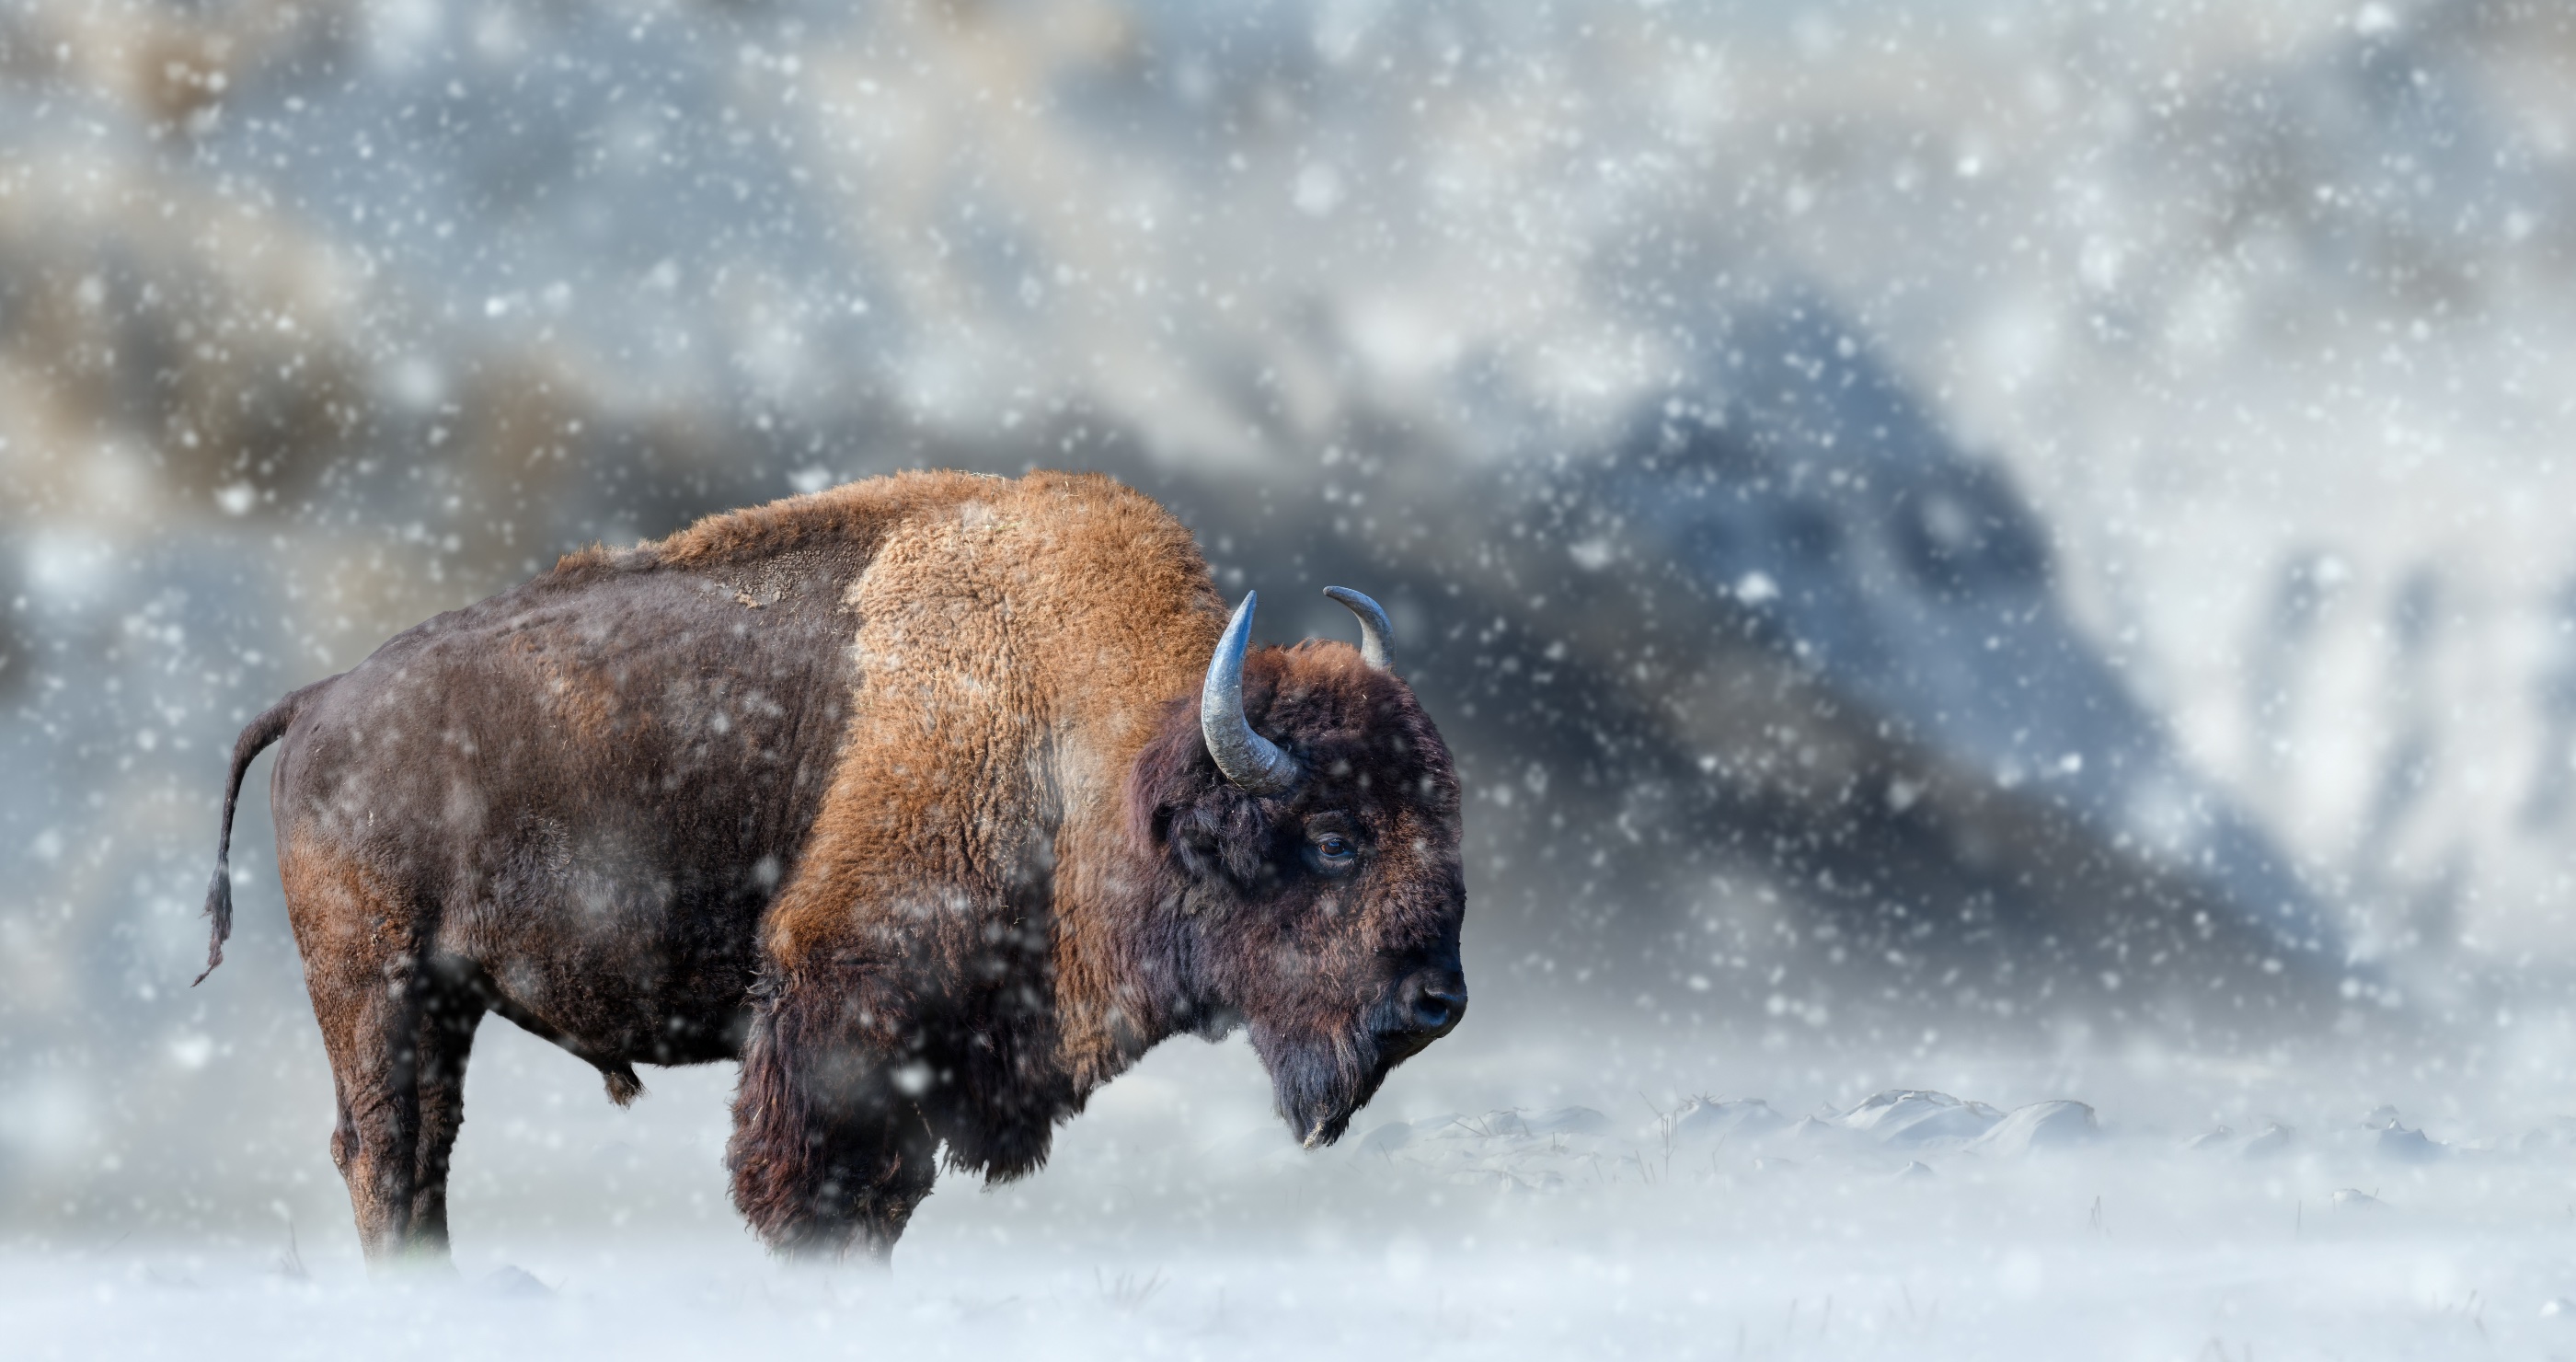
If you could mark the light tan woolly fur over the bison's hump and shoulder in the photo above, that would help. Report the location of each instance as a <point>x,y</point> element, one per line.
<point>1016,645</point>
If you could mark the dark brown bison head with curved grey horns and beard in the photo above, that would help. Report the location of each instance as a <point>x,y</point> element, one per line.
<point>1305,835</point>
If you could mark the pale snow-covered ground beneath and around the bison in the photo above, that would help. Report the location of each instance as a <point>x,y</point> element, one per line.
<point>1179,1222</point>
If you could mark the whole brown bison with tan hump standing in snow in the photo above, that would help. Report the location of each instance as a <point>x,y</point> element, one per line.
<point>934,799</point>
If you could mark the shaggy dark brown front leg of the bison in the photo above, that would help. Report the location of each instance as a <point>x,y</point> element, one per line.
<point>831,1155</point>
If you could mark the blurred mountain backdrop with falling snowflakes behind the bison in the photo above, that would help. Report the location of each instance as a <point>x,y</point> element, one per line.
<point>2000,527</point>
